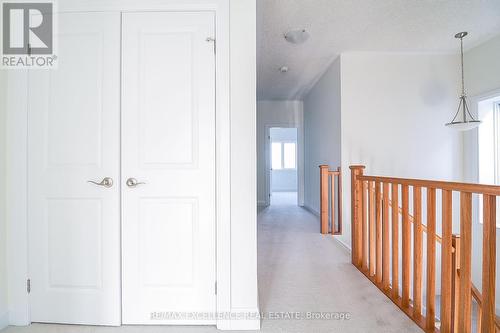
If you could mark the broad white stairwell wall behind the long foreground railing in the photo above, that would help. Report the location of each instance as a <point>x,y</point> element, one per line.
<point>394,107</point>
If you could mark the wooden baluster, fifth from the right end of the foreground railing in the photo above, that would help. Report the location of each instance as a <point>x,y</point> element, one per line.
<point>417,251</point>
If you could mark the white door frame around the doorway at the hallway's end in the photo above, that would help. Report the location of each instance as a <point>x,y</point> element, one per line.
<point>300,159</point>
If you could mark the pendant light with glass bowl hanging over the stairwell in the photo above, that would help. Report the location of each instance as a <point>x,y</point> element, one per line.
<point>467,121</point>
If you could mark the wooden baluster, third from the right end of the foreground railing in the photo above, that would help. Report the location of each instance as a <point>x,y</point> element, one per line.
<point>446,261</point>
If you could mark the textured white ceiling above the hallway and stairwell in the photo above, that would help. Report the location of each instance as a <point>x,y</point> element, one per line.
<point>338,26</point>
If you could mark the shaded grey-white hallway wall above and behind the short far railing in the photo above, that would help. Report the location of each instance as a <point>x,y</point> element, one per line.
<point>322,131</point>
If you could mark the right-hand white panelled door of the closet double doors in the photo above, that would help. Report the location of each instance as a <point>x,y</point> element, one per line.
<point>168,143</point>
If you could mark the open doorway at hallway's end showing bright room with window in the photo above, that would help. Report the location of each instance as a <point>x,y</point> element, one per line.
<point>283,175</point>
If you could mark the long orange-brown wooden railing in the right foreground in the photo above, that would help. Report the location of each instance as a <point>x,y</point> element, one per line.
<point>375,205</point>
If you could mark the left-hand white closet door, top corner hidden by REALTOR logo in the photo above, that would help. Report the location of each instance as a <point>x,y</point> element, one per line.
<point>73,137</point>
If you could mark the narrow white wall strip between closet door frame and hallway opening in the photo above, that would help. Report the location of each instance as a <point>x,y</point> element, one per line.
<point>244,293</point>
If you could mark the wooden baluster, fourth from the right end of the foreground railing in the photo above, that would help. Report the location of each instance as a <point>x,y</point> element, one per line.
<point>430,313</point>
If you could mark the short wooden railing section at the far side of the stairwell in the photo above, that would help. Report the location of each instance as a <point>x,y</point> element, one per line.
<point>327,200</point>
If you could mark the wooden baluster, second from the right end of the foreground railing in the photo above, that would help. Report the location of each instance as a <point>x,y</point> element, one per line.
<point>464,289</point>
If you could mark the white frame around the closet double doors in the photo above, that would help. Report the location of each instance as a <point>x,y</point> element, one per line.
<point>16,155</point>
